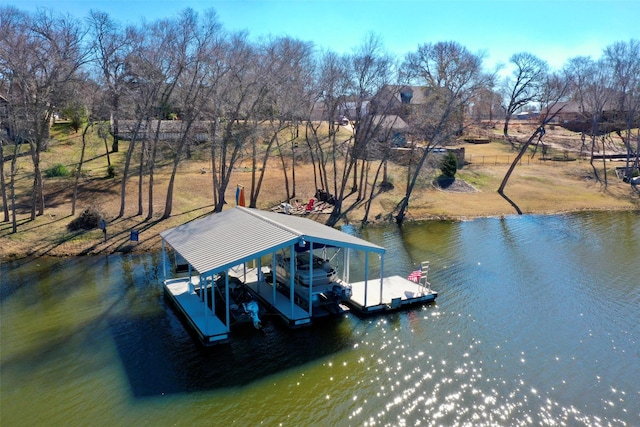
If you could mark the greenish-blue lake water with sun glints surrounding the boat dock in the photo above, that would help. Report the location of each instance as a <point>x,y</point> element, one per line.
<point>537,322</point>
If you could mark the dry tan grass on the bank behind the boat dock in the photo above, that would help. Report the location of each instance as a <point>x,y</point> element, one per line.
<point>536,186</point>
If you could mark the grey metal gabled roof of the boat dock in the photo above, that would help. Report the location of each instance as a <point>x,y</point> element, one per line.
<point>223,240</point>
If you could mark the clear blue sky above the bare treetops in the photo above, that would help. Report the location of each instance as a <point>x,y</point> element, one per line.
<point>552,30</point>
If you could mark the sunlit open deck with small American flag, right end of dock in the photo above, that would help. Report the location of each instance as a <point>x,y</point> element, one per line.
<point>397,293</point>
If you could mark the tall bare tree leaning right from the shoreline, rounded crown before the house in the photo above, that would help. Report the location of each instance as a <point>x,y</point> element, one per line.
<point>451,75</point>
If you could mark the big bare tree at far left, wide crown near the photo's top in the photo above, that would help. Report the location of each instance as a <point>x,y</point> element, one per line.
<point>41,55</point>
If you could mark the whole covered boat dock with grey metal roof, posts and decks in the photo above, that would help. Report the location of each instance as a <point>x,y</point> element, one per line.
<point>236,242</point>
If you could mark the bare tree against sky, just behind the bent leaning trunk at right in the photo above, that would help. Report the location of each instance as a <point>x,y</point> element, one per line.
<point>523,87</point>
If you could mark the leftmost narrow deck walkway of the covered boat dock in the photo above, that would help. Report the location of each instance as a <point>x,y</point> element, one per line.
<point>202,320</point>
